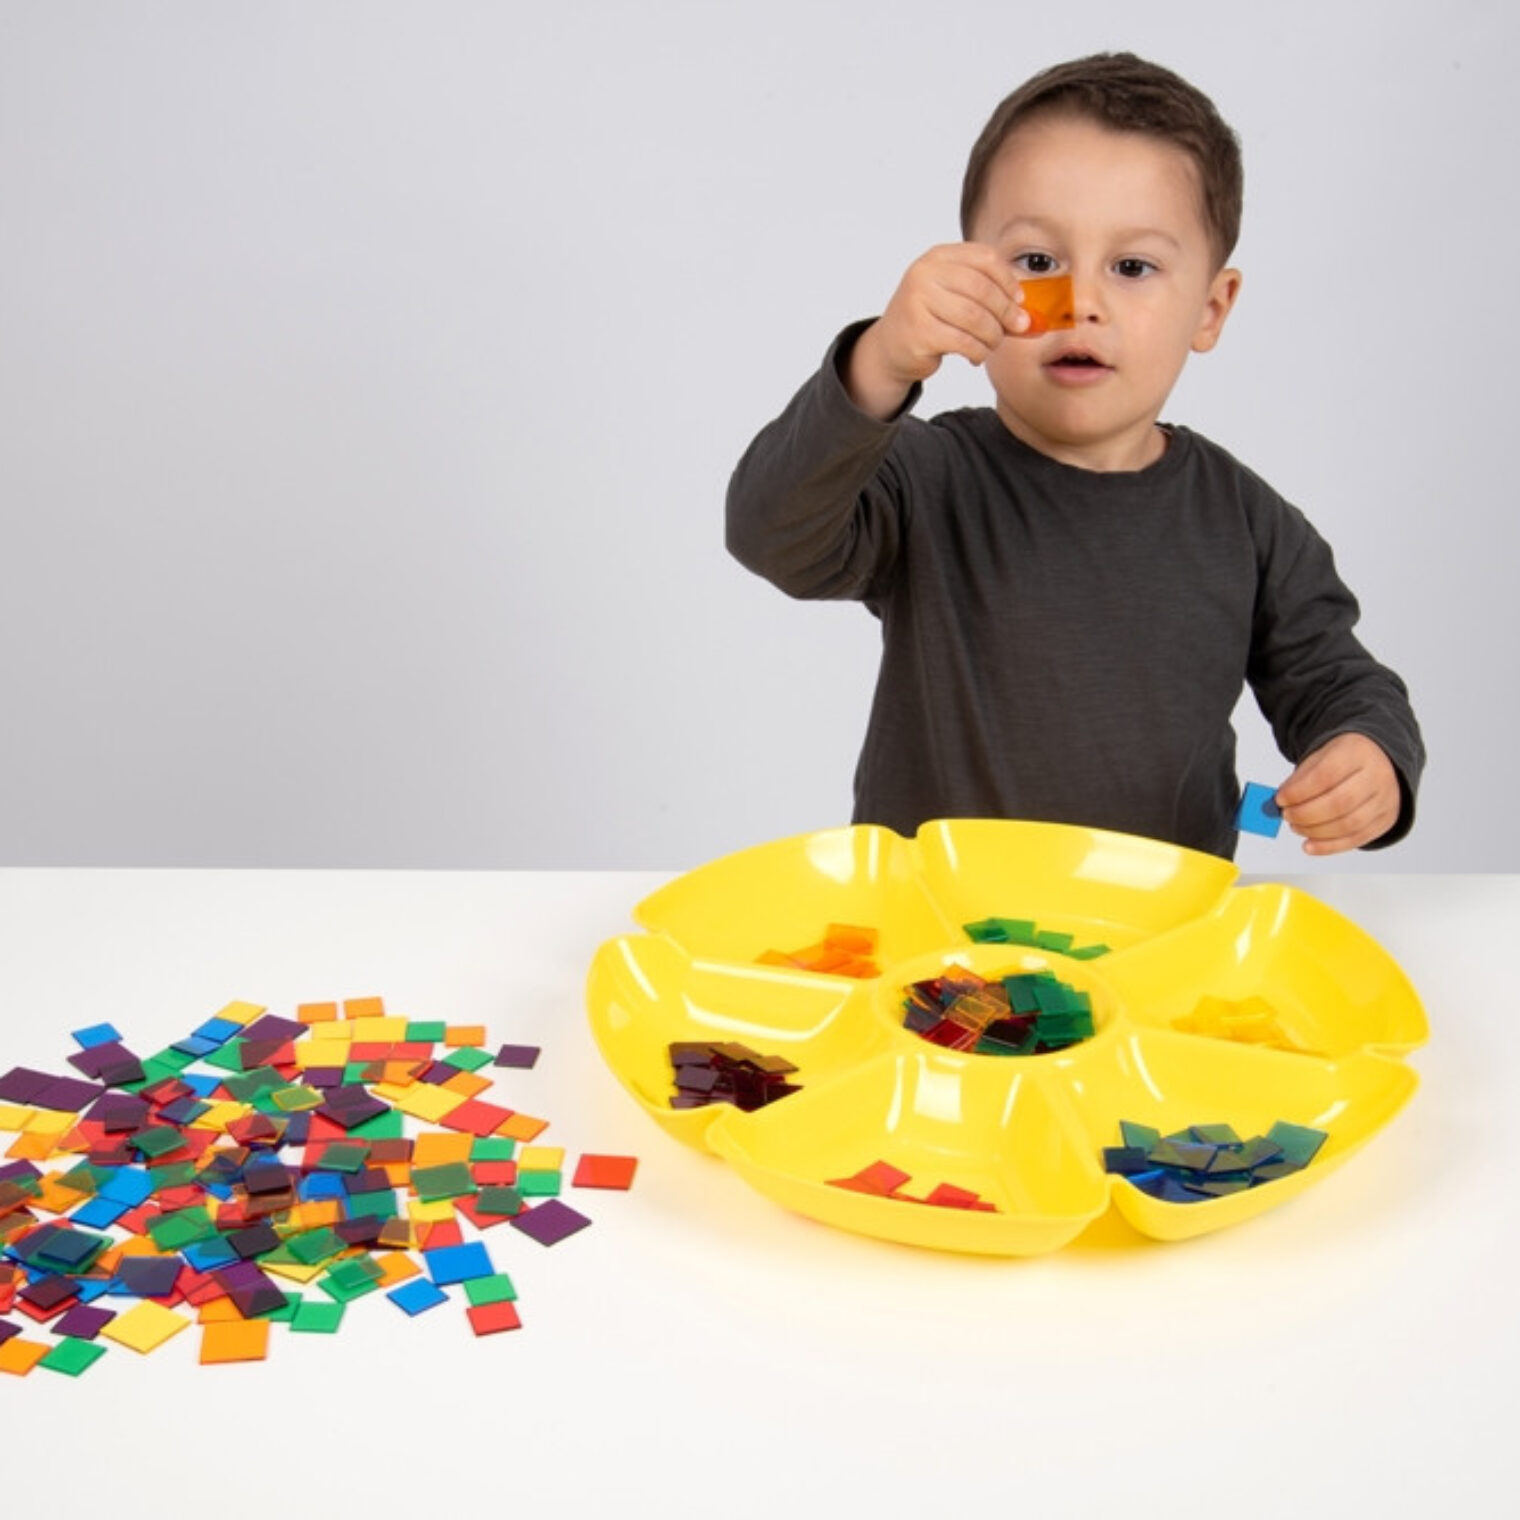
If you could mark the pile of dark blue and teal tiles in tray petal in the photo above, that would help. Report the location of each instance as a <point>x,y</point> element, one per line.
<point>1206,1162</point>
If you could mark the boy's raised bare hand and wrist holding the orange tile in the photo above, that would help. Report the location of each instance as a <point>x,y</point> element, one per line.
<point>958,299</point>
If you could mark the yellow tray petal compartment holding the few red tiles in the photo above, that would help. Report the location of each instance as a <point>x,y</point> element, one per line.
<point>974,1123</point>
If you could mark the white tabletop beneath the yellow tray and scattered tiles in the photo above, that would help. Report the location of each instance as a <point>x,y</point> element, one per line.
<point>1354,1352</point>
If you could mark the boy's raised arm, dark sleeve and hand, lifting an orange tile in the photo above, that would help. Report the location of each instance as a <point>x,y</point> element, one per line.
<point>815,504</point>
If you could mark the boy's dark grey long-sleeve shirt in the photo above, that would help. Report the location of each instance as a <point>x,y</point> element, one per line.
<point>1060,644</point>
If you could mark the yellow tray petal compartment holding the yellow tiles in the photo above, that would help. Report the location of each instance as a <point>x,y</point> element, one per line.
<point>1328,984</point>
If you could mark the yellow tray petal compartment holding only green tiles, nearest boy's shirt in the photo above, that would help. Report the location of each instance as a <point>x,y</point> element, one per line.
<point>1107,888</point>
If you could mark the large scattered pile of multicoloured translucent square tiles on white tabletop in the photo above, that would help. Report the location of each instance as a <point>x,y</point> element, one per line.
<point>261,1153</point>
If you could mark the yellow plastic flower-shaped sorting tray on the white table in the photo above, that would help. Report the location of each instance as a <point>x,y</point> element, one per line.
<point>1027,1135</point>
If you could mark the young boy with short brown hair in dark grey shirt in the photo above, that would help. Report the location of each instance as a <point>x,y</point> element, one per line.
<point>1074,594</point>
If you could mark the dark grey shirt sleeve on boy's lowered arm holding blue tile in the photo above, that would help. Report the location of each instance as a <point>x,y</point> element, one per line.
<point>1311,674</point>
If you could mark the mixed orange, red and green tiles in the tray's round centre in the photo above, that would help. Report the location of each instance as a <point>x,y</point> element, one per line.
<point>1025,1013</point>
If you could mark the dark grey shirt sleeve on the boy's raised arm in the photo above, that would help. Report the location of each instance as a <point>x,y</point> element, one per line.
<point>817,505</point>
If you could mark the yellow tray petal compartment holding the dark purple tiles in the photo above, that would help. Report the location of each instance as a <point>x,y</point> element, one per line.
<point>645,993</point>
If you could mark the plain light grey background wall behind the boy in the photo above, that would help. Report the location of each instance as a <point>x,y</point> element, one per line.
<point>372,373</point>
